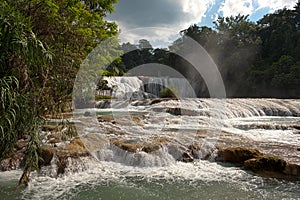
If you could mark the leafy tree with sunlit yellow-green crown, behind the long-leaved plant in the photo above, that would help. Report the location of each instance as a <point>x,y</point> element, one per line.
<point>72,28</point>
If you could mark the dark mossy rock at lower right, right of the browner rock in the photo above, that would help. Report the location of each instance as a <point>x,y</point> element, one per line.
<point>266,163</point>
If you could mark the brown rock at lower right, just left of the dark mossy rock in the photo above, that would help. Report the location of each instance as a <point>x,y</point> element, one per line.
<point>237,155</point>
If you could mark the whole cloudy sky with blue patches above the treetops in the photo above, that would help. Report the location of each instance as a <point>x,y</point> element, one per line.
<point>160,21</point>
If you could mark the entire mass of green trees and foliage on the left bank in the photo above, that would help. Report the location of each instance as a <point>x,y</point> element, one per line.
<point>42,44</point>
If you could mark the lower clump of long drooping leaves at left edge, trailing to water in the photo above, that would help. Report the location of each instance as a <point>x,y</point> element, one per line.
<point>17,119</point>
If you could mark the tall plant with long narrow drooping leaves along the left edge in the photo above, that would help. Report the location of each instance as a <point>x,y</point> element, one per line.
<point>22,56</point>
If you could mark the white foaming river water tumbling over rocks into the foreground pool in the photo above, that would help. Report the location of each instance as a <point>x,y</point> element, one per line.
<point>118,174</point>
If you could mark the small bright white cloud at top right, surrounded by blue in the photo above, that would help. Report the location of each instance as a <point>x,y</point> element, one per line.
<point>235,7</point>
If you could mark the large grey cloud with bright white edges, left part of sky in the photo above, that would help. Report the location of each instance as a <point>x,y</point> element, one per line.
<point>168,17</point>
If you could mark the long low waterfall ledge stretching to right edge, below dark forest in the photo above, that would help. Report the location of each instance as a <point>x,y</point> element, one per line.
<point>230,108</point>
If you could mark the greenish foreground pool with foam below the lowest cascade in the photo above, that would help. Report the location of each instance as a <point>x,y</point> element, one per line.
<point>202,180</point>
